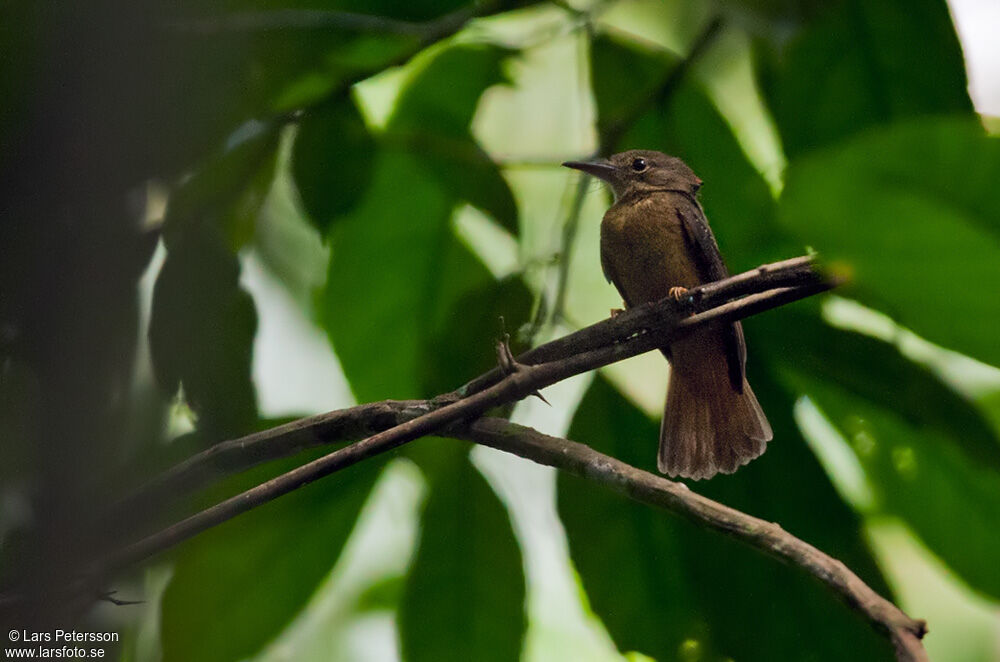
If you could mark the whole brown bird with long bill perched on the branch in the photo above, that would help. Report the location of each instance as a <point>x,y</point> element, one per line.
<point>655,242</point>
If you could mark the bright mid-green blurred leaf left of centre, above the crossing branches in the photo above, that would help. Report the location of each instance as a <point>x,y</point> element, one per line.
<point>396,270</point>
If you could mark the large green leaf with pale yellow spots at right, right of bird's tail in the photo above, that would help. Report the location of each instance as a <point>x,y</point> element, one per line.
<point>927,453</point>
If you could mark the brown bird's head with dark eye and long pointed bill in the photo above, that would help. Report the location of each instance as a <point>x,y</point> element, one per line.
<point>641,171</point>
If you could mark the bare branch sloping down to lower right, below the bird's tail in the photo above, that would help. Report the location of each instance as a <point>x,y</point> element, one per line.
<point>768,537</point>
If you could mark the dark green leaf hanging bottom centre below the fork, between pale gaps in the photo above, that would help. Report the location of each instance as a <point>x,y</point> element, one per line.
<point>464,596</point>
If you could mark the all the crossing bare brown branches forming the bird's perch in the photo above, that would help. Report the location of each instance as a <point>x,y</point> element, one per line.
<point>389,424</point>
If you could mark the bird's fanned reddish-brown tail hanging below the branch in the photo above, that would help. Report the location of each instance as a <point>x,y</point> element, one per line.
<point>708,427</point>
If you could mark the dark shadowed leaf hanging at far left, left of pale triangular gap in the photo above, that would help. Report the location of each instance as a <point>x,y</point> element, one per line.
<point>201,334</point>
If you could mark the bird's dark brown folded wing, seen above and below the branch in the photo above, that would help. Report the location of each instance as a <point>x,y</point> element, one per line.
<point>708,260</point>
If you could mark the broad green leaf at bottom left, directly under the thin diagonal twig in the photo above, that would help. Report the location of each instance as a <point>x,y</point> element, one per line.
<point>238,585</point>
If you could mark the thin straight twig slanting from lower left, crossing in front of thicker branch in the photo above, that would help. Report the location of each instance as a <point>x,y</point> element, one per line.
<point>666,322</point>
